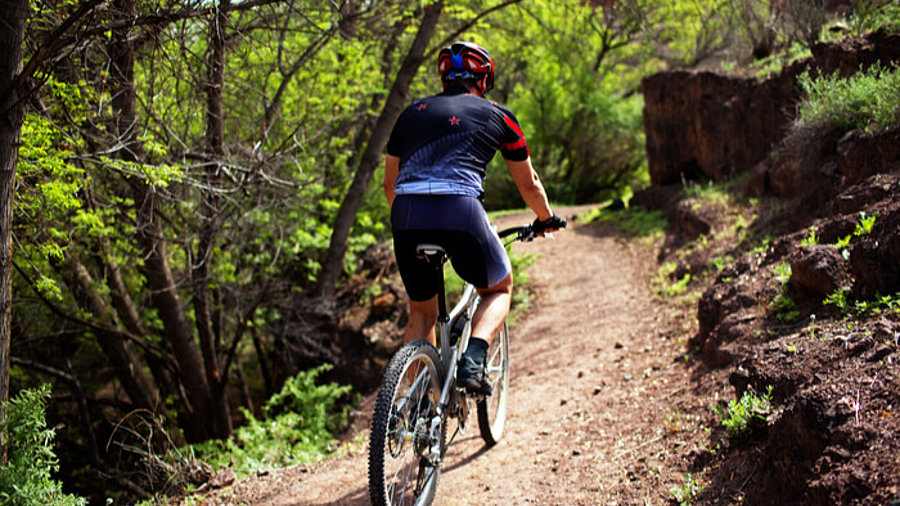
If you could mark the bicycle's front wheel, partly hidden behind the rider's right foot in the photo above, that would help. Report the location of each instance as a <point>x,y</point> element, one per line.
<point>492,409</point>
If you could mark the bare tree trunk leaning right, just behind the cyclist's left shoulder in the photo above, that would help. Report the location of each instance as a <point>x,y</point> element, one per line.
<point>393,106</point>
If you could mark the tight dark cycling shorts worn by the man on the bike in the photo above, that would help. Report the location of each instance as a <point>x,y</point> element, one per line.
<point>457,223</point>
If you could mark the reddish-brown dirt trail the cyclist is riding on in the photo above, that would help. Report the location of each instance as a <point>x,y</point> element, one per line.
<point>598,401</point>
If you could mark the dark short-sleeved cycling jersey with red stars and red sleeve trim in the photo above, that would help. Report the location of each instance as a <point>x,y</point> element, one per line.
<point>446,141</point>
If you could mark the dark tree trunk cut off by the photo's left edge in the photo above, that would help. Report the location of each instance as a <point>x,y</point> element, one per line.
<point>12,113</point>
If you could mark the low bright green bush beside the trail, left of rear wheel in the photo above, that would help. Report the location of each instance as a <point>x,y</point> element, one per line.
<point>298,427</point>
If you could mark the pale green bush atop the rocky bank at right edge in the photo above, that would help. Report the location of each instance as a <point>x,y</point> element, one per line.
<point>869,100</point>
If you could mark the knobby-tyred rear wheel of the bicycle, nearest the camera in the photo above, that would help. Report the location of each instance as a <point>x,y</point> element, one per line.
<point>407,437</point>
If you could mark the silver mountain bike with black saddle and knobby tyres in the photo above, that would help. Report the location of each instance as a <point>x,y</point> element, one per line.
<point>418,395</point>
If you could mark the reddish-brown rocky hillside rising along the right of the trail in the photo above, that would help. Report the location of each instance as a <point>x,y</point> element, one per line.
<point>804,298</point>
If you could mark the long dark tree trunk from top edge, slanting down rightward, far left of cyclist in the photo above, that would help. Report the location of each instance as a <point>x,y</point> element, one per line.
<point>163,292</point>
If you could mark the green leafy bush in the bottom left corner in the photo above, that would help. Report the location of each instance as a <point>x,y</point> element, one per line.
<point>26,479</point>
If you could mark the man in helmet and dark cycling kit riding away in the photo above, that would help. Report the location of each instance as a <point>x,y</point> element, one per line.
<point>437,158</point>
